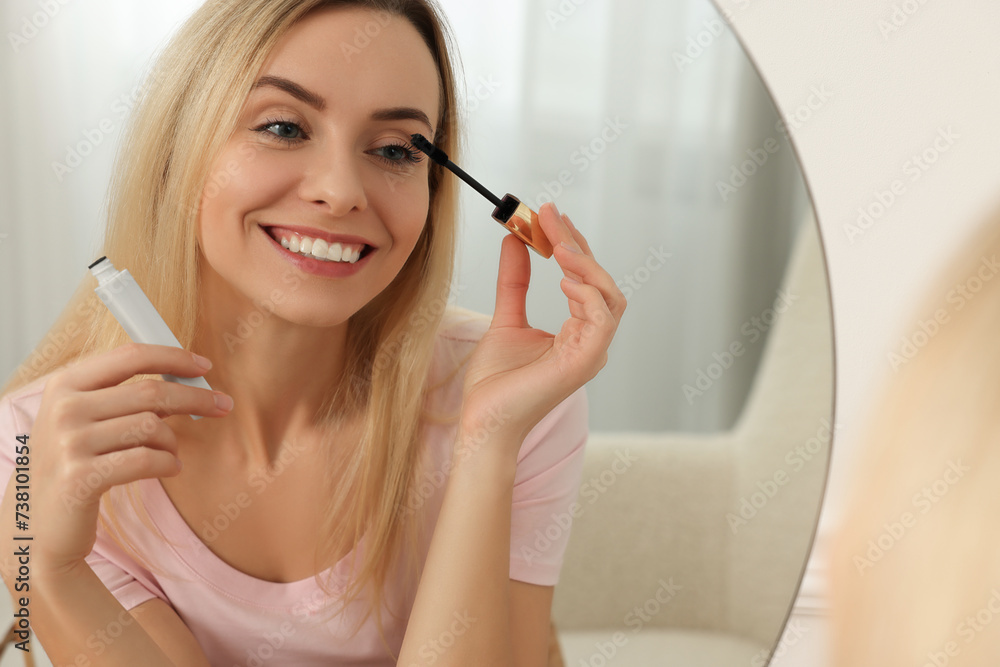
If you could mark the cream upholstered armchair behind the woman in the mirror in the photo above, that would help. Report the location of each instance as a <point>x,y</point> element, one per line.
<point>665,537</point>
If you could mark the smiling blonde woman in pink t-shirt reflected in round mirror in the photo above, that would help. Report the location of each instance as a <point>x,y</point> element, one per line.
<point>362,431</point>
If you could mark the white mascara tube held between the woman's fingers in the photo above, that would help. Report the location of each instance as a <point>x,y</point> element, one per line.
<point>135,312</point>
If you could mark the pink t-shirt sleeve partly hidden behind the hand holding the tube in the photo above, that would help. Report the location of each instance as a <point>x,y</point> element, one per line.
<point>112,566</point>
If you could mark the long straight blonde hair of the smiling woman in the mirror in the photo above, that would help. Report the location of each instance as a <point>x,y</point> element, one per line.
<point>181,122</point>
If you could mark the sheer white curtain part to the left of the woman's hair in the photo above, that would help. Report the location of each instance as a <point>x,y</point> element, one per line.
<point>69,75</point>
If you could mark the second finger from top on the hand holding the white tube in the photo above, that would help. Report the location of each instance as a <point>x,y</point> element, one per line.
<point>150,395</point>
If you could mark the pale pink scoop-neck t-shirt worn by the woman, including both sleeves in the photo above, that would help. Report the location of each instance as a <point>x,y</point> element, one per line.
<point>240,620</point>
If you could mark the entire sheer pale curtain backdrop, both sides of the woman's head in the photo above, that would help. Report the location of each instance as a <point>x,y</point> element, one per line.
<point>587,103</point>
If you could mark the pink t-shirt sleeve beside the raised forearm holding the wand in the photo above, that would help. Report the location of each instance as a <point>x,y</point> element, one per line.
<point>546,484</point>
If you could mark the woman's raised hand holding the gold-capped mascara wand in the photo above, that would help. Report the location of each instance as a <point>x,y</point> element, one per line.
<point>518,374</point>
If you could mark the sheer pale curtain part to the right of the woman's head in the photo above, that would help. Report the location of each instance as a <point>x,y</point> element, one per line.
<point>643,106</point>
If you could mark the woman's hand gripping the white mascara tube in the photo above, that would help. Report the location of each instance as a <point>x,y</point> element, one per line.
<point>91,434</point>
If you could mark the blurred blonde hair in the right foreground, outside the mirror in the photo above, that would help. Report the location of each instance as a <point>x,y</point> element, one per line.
<point>914,563</point>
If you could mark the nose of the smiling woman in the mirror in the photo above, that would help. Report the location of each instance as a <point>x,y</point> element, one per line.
<point>333,179</point>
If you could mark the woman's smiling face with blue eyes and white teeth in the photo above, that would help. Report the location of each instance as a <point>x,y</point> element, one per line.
<point>321,156</point>
